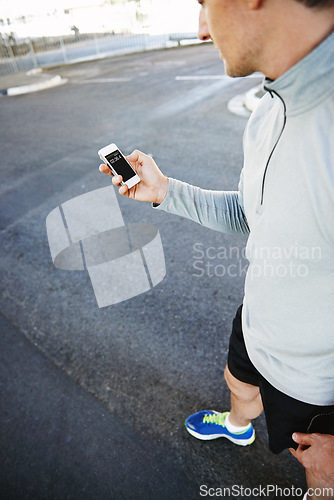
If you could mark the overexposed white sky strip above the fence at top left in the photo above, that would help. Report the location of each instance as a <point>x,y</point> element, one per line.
<point>160,16</point>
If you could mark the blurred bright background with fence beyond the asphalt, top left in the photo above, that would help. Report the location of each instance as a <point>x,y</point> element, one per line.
<point>37,34</point>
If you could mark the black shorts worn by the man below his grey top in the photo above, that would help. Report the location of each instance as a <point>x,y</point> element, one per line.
<point>284,415</point>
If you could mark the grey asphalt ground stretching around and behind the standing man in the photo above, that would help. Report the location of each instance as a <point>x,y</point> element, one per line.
<point>93,400</point>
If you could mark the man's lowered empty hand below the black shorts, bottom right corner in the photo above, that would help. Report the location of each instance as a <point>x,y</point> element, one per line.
<point>316,453</point>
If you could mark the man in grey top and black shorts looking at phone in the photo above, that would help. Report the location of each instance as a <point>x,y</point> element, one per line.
<point>281,355</point>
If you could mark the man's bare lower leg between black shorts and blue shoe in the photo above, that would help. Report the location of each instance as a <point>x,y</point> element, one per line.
<point>246,402</point>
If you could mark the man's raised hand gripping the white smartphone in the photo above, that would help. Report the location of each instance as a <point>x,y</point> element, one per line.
<point>153,184</point>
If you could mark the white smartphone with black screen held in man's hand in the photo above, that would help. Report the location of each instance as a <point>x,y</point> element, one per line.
<point>115,160</point>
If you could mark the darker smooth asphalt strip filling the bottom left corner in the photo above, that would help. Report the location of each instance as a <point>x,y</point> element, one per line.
<point>58,441</point>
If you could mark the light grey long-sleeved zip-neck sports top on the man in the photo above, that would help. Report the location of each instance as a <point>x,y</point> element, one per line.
<point>285,202</point>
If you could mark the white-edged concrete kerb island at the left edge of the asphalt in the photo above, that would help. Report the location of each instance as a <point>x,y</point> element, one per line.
<point>26,82</point>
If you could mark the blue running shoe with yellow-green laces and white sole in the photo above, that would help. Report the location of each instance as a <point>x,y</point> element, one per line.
<point>210,424</point>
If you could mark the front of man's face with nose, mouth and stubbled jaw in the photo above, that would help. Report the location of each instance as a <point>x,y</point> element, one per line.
<point>227,22</point>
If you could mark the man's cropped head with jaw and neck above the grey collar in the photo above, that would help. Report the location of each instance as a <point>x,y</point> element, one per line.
<point>264,35</point>
